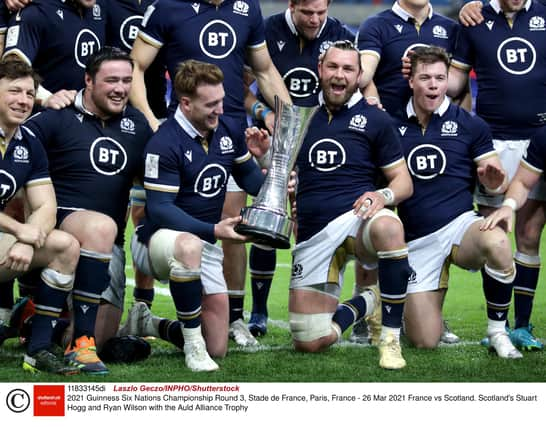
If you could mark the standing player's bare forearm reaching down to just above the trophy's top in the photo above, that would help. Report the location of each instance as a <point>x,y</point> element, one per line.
<point>268,77</point>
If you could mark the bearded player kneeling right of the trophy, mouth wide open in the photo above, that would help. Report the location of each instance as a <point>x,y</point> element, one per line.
<point>348,146</point>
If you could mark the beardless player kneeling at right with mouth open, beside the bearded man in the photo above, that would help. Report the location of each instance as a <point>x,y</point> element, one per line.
<point>446,149</point>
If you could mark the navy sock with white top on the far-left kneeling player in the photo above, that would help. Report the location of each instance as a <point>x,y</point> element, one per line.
<point>49,302</point>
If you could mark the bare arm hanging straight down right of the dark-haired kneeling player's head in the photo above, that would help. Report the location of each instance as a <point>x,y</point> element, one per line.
<point>143,55</point>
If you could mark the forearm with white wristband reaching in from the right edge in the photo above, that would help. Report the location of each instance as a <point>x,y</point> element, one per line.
<point>515,198</point>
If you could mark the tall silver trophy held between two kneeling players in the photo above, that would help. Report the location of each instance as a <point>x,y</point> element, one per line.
<point>266,220</point>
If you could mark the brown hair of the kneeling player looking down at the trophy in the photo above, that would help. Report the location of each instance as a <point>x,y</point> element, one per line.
<point>192,73</point>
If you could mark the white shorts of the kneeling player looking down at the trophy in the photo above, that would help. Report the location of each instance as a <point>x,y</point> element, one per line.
<point>212,275</point>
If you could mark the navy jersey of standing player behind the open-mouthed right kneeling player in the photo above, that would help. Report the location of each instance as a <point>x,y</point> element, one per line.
<point>389,35</point>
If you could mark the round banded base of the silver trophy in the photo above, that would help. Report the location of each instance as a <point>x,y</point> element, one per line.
<point>266,227</point>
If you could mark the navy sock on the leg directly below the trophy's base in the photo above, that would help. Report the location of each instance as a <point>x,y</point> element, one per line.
<point>262,267</point>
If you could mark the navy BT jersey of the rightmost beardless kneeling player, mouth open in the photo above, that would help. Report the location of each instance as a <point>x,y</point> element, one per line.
<point>442,164</point>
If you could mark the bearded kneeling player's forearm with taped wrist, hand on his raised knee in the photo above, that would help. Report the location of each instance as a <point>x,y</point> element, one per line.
<point>399,188</point>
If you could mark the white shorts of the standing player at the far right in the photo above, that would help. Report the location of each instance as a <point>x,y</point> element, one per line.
<point>510,153</point>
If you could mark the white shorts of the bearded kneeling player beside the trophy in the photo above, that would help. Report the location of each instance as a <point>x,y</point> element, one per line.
<point>319,263</point>
